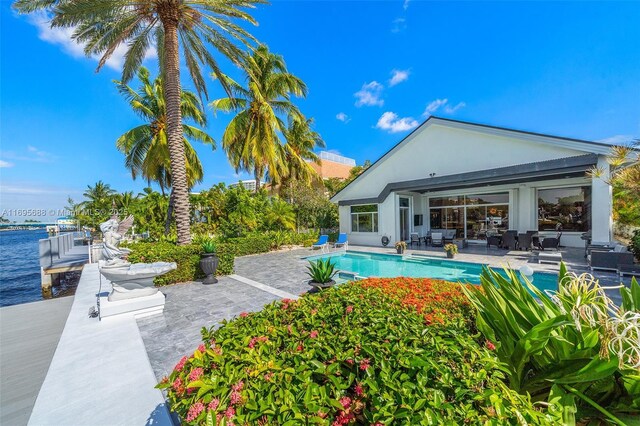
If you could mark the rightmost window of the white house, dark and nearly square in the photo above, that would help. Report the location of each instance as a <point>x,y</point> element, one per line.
<point>564,208</point>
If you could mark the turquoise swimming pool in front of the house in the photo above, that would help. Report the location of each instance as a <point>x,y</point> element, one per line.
<point>389,266</point>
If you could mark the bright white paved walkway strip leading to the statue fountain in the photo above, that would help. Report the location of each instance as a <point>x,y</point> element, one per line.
<point>100,373</point>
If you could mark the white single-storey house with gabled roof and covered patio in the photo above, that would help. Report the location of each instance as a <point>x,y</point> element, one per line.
<point>476,180</point>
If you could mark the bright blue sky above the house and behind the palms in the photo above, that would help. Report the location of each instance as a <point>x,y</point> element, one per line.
<point>374,71</point>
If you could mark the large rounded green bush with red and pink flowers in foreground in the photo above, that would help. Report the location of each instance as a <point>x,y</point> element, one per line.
<point>359,353</point>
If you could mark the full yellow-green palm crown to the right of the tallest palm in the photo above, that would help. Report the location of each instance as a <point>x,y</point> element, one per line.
<point>252,138</point>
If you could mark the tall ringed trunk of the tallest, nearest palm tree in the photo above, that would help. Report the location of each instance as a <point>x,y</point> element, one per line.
<point>171,83</point>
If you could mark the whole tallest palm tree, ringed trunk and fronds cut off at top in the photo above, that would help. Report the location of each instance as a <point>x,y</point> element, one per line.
<point>179,28</point>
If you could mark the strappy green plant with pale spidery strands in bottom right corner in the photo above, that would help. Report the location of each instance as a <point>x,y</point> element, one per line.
<point>573,347</point>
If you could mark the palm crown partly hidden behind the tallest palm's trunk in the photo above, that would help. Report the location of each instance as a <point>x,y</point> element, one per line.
<point>145,146</point>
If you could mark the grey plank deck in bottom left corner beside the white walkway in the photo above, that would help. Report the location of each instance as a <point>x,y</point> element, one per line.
<point>29,335</point>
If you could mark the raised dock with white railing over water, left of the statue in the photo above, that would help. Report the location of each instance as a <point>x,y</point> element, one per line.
<point>60,254</point>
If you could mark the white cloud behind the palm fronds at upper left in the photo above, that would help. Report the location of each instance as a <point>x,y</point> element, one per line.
<point>62,37</point>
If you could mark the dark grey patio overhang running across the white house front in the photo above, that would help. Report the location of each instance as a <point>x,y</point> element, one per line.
<point>530,172</point>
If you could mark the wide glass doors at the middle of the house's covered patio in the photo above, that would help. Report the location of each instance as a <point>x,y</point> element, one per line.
<point>472,216</point>
